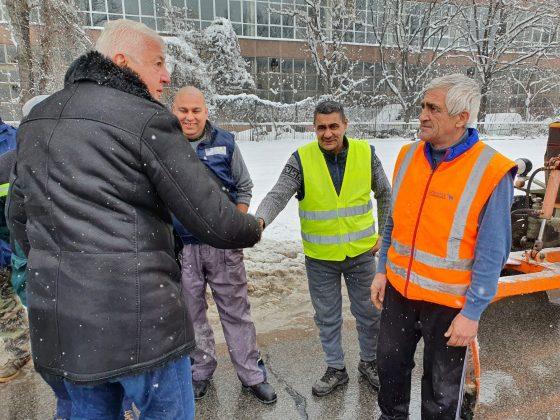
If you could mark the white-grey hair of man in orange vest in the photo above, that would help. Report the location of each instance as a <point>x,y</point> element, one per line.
<point>463,94</point>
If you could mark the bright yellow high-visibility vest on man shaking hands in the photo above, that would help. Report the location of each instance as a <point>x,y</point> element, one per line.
<point>334,226</point>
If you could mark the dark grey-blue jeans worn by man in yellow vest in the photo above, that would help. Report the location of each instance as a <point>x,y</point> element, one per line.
<point>324,278</point>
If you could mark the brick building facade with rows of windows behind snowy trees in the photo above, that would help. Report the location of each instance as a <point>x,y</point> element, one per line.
<point>272,40</point>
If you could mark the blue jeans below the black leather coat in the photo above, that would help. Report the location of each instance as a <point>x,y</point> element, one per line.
<point>165,393</point>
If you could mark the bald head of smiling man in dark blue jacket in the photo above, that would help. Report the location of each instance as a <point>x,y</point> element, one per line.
<point>189,106</point>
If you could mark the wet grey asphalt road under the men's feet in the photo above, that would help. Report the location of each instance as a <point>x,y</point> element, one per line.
<point>520,352</point>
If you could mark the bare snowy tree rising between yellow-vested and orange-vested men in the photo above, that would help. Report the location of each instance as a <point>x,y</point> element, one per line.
<point>413,38</point>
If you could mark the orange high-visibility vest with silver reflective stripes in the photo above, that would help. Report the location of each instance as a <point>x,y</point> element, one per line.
<point>436,215</point>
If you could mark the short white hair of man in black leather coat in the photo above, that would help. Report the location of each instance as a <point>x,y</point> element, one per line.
<point>125,36</point>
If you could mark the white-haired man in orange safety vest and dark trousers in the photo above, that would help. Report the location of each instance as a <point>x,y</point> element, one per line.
<point>445,242</point>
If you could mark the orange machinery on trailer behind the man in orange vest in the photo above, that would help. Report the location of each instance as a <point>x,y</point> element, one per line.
<point>534,263</point>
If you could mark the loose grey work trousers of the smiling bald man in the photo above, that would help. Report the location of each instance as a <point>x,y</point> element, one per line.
<point>224,271</point>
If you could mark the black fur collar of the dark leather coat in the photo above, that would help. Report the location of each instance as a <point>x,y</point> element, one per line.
<point>97,68</point>
